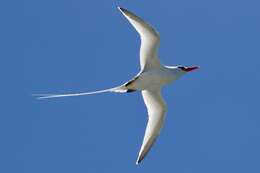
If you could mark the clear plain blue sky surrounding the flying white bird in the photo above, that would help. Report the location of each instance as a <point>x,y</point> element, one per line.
<point>56,46</point>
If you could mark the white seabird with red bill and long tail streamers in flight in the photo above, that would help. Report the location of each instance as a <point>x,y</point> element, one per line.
<point>153,75</point>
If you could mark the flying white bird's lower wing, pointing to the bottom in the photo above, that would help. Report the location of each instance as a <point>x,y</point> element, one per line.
<point>156,108</point>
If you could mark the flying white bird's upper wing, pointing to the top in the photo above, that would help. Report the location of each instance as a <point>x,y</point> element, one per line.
<point>150,40</point>
